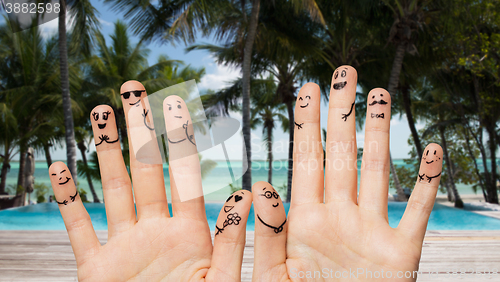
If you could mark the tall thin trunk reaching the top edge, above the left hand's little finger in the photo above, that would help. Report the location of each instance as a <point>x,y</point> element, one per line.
<point>66,98</point>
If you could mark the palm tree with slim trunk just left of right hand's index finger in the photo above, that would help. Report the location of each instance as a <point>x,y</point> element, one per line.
<point>285,47</point>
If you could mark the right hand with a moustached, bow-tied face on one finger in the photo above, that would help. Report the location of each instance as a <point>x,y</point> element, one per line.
<point>331,233</point>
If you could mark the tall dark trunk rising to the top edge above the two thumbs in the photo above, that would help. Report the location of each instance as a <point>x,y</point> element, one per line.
<point>247,60</point>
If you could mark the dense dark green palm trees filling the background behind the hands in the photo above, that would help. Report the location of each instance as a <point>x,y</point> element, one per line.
<point>438,59</point>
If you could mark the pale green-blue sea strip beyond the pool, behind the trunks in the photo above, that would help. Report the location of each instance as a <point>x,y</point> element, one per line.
<point>215,184</point>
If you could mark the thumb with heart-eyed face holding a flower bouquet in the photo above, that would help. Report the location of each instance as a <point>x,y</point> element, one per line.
<point>230,235</point>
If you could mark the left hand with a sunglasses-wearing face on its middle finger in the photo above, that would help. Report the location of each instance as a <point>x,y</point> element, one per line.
<point>152,246</point>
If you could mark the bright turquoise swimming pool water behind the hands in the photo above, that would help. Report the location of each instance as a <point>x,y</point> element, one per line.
<point>46,216</point>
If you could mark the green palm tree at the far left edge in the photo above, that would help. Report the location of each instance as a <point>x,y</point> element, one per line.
<point>28,89</point>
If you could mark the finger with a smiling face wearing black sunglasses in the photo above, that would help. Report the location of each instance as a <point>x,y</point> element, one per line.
<point>145,159</point>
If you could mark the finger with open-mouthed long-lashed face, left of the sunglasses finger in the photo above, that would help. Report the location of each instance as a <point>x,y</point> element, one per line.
<point>116,187</point>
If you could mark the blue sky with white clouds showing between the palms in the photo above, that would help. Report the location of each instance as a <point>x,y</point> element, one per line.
<point>217,77</point>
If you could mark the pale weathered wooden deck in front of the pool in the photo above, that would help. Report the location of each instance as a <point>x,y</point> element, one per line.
<point>47,255</point>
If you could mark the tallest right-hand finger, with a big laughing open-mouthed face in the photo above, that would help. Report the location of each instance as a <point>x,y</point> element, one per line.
<point>341,151</point>
